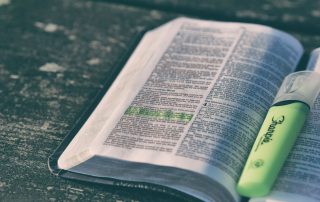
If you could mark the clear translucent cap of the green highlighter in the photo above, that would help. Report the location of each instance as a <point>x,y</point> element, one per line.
<point>303,86</point>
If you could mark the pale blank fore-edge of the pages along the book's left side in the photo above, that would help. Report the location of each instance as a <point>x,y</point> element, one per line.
<point>79,148</point>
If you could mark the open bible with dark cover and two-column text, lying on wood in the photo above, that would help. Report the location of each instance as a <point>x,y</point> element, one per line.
<point>183,114</point>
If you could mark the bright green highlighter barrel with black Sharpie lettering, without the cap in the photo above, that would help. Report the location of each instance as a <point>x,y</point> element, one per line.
<point>277,135</point>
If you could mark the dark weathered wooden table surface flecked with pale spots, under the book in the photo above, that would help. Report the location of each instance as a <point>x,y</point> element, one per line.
<point>55,55</point>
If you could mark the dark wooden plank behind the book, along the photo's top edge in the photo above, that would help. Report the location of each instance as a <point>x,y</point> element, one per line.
<point>301,16</point>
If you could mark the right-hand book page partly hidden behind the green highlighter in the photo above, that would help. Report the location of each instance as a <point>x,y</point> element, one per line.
<point>299,179</point>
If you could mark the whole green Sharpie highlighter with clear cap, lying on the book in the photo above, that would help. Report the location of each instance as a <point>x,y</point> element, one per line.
<point>278,133</point>
